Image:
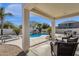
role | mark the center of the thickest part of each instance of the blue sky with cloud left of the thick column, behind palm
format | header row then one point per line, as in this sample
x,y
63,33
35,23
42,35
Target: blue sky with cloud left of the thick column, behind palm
x,y
16,10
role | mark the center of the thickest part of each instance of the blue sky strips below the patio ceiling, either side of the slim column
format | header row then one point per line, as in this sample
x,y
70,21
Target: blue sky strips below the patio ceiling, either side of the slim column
x,y
47,21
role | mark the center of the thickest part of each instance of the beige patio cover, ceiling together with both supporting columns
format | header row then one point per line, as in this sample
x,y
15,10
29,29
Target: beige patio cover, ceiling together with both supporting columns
x,y
51,11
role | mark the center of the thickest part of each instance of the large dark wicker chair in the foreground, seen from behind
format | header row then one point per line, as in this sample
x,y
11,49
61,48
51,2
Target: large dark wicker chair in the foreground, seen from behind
x,y
64,49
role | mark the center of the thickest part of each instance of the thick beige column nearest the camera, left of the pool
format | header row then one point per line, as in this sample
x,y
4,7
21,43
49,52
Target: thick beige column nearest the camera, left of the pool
x,y
25,31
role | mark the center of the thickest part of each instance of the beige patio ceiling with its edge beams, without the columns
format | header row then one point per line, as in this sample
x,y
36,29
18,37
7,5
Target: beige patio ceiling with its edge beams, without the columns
x,y
54,10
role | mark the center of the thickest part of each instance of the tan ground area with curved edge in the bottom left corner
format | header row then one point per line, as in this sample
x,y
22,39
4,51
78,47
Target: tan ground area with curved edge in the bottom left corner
x,y
11,50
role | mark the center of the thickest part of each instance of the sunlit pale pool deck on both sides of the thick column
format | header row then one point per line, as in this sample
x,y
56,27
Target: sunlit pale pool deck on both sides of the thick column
x,y
33,41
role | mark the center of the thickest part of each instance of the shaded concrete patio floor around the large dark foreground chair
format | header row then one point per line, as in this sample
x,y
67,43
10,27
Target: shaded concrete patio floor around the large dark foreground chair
x,y
44,50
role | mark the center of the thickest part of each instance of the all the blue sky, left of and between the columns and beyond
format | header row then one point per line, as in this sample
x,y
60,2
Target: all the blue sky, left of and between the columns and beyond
x,y
16,10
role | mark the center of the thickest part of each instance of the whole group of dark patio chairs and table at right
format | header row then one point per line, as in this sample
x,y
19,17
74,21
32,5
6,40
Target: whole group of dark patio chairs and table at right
x,y
65,47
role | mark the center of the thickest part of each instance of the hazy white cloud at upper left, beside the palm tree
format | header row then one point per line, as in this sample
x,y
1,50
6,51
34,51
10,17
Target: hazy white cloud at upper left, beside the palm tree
x,y
15,9
